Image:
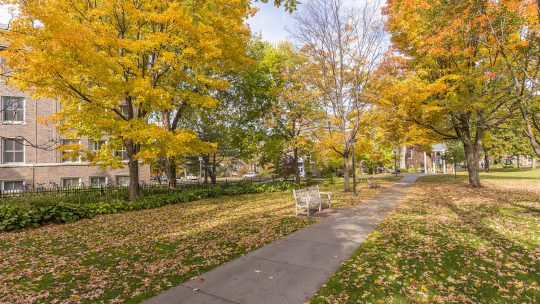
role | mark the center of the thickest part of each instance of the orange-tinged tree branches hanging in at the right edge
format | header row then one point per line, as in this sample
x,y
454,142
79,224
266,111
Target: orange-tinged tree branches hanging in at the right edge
x,y
514,26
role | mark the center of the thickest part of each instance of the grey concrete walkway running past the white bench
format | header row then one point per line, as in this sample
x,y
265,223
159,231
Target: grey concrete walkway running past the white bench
x,y
293,269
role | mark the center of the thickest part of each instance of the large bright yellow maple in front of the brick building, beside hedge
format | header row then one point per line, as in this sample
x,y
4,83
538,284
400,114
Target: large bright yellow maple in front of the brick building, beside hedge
x,y
114,64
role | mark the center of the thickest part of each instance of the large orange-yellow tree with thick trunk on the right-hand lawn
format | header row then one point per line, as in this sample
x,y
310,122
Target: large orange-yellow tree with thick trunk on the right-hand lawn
x,y
451,72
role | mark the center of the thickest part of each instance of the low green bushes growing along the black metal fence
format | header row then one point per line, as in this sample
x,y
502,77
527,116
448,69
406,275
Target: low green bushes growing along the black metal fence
x,y
25,210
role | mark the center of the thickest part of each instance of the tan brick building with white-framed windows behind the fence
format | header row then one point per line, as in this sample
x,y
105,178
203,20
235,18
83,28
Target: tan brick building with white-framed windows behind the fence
x,y
28,156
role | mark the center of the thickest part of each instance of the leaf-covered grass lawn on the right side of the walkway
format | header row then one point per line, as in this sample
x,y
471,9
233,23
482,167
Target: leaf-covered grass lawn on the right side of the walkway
x,y
447,243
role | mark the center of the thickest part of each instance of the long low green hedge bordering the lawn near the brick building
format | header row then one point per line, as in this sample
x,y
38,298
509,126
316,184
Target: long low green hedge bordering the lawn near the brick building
x,y
22,215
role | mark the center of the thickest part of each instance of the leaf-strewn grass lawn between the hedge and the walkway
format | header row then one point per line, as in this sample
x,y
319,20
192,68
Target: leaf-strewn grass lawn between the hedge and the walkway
x,y
129,256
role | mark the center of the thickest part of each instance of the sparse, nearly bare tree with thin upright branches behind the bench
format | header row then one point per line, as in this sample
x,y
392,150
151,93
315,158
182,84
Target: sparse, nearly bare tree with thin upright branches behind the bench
x,y
344,46
